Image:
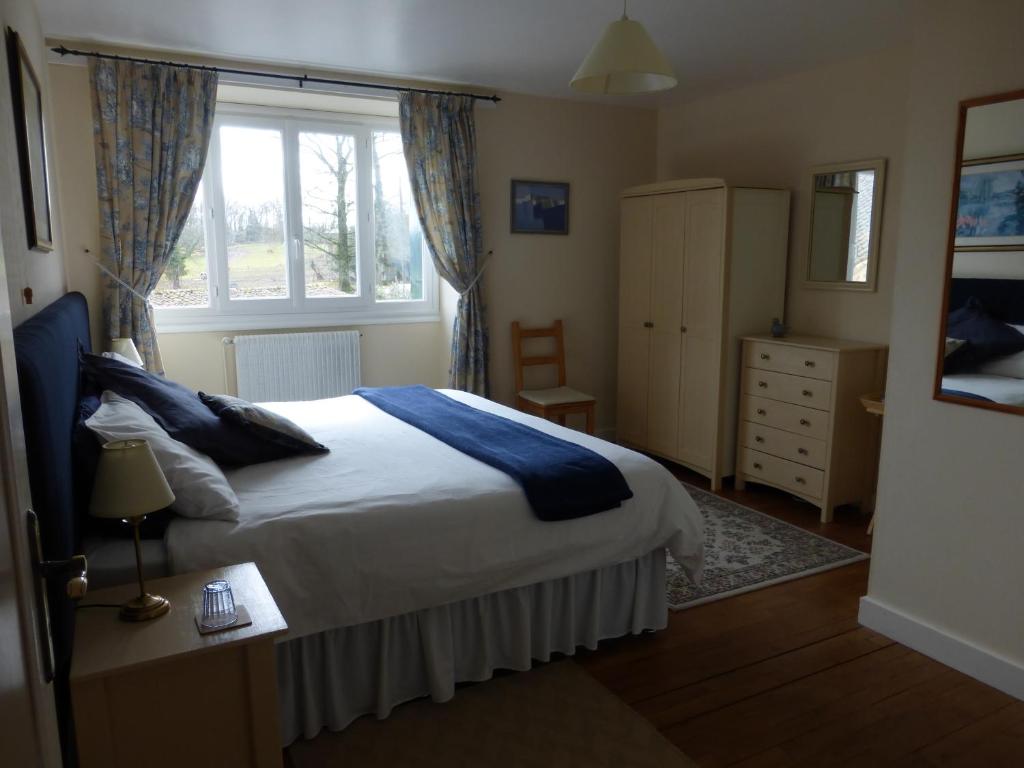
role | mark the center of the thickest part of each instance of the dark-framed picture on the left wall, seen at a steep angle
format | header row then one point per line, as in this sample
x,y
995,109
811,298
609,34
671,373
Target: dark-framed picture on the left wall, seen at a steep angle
x,y
27,100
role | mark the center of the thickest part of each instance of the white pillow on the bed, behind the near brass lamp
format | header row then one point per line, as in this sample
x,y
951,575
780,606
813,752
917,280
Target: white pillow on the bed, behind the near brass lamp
x,y
200,488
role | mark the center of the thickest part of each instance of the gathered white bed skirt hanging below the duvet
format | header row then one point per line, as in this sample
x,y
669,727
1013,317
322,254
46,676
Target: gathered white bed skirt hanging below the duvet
x,y
329,679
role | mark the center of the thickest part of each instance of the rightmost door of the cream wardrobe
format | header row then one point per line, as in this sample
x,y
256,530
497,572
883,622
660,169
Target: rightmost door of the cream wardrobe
x,y
701,332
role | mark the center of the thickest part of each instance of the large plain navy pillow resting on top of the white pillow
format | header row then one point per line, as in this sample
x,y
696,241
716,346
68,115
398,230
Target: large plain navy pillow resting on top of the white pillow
x,y
181,413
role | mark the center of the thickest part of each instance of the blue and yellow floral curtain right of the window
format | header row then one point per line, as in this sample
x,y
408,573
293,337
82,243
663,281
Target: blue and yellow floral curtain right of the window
x,y
439,136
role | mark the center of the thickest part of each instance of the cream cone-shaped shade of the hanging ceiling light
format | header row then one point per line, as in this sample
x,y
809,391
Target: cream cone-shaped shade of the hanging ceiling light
x,y
624,61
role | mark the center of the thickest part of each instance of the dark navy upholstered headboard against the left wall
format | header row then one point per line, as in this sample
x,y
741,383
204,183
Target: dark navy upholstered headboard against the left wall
x,y
47,350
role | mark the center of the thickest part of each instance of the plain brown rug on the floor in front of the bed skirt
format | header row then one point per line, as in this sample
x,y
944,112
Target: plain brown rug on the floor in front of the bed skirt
x,y
556,715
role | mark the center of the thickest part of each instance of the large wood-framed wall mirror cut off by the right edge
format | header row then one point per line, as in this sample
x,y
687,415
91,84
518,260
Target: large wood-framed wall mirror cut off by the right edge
x,y
982,345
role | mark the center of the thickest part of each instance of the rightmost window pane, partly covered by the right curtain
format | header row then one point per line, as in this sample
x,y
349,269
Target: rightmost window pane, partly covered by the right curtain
x,y
399,245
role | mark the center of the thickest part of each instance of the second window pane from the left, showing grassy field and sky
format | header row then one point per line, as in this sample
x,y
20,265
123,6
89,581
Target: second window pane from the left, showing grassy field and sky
x,y
253,177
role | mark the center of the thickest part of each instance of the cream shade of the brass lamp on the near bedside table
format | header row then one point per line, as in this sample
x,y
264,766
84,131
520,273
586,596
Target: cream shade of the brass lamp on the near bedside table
x,y
130,483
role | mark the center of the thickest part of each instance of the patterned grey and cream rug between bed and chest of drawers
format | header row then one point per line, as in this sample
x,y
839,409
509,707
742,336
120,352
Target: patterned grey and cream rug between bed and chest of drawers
x,y
747,550
